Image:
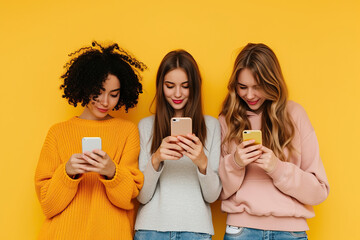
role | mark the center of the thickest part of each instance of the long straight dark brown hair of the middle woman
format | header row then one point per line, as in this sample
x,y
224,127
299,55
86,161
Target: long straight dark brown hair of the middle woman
x,y
193,109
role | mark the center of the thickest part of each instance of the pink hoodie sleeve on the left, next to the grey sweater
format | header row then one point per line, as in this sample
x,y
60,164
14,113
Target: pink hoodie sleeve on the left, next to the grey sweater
x,y
231,174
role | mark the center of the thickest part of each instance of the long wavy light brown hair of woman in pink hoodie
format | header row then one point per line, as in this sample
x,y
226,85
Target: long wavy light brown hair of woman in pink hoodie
x,y
277,126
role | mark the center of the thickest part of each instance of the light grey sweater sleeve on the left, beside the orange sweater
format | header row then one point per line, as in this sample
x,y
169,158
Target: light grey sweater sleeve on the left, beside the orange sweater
x,y
151,176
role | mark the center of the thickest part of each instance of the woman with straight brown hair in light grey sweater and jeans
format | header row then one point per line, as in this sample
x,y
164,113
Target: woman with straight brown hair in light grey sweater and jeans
x,y
180,172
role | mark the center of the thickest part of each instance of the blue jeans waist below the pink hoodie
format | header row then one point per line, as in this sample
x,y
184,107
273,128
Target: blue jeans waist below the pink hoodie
x,y
257,234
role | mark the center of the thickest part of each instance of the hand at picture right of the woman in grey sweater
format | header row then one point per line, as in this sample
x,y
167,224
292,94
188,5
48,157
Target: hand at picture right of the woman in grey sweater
x,y
194,150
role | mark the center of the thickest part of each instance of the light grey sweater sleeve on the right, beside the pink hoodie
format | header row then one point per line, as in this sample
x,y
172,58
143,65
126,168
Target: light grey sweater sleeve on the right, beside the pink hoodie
x,y
210,182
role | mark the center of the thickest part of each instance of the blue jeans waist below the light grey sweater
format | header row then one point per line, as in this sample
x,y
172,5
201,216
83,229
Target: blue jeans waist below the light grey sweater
x,y
155,235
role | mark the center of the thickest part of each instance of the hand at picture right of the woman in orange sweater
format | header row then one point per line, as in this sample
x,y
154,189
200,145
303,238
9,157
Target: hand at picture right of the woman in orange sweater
x,y
100,163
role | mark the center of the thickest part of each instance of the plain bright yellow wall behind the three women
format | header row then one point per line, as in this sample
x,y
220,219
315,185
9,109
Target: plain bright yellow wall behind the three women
x,y
317,43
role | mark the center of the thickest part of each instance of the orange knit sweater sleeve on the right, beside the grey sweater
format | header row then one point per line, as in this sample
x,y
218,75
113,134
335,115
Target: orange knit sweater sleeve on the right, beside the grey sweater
x,y
128,179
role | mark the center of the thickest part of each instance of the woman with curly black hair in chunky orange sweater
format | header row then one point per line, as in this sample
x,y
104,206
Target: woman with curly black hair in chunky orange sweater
x,y
90,195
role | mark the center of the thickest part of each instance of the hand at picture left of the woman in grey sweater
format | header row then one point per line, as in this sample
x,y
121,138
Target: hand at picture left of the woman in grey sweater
x,y
168,150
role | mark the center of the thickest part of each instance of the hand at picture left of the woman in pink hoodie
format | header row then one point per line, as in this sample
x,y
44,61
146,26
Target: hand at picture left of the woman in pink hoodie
x,y
246,153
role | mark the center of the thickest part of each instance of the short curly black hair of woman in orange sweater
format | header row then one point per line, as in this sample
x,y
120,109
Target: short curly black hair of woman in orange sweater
x,y
89,68
